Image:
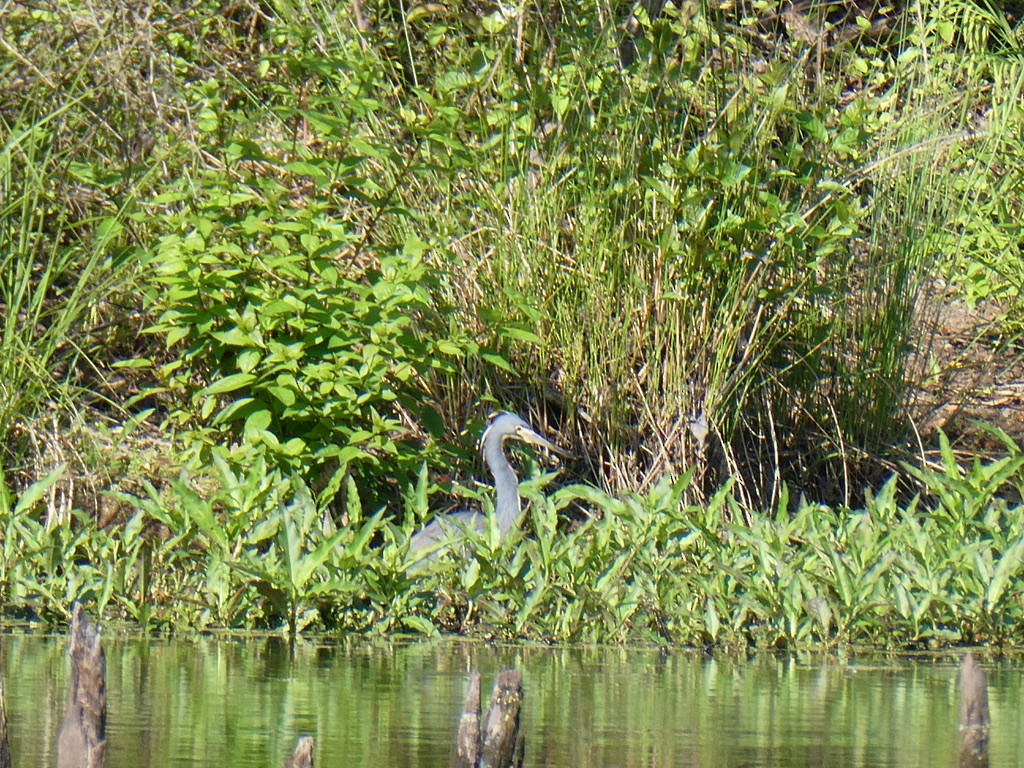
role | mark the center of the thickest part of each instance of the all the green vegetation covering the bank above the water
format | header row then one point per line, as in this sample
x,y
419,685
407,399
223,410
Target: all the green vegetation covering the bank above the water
x,y
262,263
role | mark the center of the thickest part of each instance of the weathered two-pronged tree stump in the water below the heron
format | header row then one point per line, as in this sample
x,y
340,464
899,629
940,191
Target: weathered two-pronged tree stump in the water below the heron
x,y
498,744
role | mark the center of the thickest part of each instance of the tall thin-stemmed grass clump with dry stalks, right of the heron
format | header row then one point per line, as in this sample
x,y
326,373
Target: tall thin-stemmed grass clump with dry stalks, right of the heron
x,y
716,263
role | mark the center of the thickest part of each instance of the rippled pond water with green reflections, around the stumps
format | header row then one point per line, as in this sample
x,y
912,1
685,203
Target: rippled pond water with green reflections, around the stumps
x,y
240,704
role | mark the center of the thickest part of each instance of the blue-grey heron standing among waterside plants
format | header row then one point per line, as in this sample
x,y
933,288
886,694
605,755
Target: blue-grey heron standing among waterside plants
x,y
451,528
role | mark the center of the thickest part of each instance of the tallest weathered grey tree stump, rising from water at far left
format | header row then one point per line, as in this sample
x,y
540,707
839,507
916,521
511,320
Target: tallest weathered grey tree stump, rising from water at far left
x,y
82,742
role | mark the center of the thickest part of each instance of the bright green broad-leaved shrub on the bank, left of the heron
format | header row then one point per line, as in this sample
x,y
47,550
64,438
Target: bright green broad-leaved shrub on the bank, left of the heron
x,y
295,346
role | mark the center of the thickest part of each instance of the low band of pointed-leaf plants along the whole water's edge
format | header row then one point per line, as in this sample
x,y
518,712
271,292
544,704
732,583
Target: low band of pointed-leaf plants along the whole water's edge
x,y
260,552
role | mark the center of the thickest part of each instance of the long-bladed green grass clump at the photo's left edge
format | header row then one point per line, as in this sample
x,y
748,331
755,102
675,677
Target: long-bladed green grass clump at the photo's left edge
x,y
57,270
